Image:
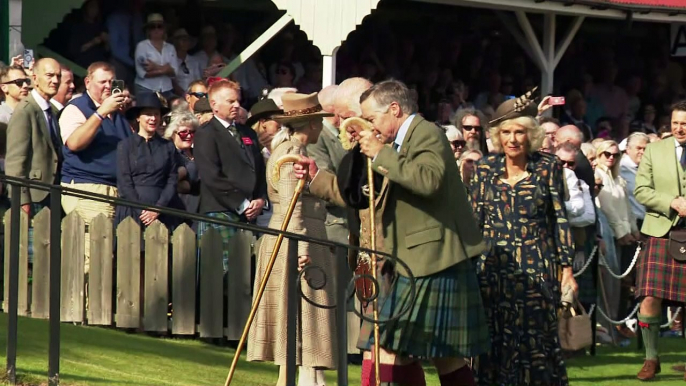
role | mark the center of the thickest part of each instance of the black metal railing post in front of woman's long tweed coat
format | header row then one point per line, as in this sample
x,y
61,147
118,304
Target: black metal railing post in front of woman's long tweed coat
x,y
291,318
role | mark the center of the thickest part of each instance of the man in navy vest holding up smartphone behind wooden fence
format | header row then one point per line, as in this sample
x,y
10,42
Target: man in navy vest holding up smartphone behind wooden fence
x,y
92,126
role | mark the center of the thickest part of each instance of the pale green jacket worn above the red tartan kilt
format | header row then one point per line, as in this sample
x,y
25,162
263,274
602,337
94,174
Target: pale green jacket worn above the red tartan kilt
x,y
659,180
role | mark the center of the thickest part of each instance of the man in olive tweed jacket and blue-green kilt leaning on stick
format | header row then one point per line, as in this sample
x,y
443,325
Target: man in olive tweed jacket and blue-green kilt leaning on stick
x,y
427,223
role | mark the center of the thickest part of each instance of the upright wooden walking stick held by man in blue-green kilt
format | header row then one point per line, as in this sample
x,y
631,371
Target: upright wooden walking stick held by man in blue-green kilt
x,y
365,125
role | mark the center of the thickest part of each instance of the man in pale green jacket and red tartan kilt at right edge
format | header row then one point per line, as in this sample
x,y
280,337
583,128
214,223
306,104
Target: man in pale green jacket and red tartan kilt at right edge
x,y
660,187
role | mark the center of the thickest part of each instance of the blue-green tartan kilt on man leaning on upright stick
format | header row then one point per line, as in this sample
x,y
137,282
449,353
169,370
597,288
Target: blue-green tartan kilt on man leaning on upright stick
x,y
447,320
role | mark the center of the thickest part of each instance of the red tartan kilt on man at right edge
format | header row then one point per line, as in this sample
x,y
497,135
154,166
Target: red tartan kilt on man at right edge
x,y
658,275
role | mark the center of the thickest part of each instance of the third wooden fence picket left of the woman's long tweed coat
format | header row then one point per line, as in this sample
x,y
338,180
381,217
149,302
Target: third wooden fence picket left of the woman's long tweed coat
x,y
184,274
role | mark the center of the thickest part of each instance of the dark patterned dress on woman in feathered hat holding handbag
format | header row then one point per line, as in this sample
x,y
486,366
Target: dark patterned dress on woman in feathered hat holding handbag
x,y
529,239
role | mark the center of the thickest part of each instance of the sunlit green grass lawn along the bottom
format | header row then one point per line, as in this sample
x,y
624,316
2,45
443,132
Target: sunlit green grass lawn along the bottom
x,y
98,356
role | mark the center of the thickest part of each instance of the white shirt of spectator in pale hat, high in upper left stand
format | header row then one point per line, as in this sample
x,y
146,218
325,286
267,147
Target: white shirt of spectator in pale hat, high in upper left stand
x,y
146,51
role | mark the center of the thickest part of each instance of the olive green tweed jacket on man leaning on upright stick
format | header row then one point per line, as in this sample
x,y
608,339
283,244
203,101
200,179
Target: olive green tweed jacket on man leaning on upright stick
x,y
427,220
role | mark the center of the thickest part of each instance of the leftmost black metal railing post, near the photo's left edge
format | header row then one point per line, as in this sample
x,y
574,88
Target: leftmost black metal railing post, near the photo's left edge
x,y
13,285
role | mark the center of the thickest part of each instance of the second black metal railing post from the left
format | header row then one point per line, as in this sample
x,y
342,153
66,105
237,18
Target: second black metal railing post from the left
x,y
55,284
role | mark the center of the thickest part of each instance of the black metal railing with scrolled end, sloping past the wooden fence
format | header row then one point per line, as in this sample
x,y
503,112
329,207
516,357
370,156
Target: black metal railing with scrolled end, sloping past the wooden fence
x,y
344,285
